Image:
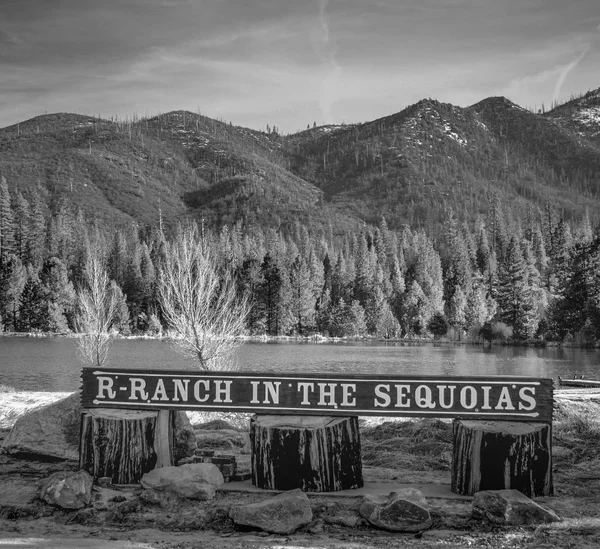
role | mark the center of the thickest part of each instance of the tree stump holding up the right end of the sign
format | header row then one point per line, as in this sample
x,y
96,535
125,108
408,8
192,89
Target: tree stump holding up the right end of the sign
x,y
502,455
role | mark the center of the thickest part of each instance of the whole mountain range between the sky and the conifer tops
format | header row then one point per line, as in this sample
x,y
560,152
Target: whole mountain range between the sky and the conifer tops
x,y
408,167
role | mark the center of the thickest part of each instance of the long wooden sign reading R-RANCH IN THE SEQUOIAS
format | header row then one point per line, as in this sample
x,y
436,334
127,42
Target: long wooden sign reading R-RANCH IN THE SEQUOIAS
x,y
494,397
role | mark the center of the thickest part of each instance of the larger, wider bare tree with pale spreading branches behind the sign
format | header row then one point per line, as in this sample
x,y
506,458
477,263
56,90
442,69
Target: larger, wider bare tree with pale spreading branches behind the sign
x,y
201,305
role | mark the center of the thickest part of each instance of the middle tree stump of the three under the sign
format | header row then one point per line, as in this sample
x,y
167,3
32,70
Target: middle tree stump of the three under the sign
x,y
313,453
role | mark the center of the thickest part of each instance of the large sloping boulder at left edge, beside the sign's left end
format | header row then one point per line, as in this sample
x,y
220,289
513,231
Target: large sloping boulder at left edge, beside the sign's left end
x,y
51,430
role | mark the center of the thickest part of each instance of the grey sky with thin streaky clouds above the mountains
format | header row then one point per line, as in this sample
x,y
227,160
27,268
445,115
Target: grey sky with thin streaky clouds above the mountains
x,y
290,63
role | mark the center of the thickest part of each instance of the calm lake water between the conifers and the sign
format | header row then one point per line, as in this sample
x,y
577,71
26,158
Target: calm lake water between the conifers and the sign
x,y
51,364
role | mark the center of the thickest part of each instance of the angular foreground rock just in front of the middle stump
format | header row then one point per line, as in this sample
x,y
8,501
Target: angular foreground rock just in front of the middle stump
x,y
282,514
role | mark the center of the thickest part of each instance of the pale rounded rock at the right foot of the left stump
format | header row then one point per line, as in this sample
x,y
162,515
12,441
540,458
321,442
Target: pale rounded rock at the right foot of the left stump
x,y
193,480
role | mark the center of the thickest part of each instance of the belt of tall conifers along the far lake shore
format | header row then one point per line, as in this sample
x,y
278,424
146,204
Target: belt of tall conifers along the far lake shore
x,y
537,277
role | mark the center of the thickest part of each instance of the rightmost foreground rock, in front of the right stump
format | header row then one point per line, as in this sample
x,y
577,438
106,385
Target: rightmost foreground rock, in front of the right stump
x,y
510,507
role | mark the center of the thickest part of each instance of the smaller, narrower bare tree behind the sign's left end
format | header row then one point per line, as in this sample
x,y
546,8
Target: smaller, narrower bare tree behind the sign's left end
x,y
96,308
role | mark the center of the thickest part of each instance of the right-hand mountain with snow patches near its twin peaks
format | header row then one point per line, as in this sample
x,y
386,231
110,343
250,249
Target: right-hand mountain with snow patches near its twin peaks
x,y
412,165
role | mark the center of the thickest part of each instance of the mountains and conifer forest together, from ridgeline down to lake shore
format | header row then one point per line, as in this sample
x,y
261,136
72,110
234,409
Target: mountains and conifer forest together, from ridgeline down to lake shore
x,y
479,221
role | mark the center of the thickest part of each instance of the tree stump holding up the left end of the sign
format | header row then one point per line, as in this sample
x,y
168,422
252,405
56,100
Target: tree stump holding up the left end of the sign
x,y
125,444
